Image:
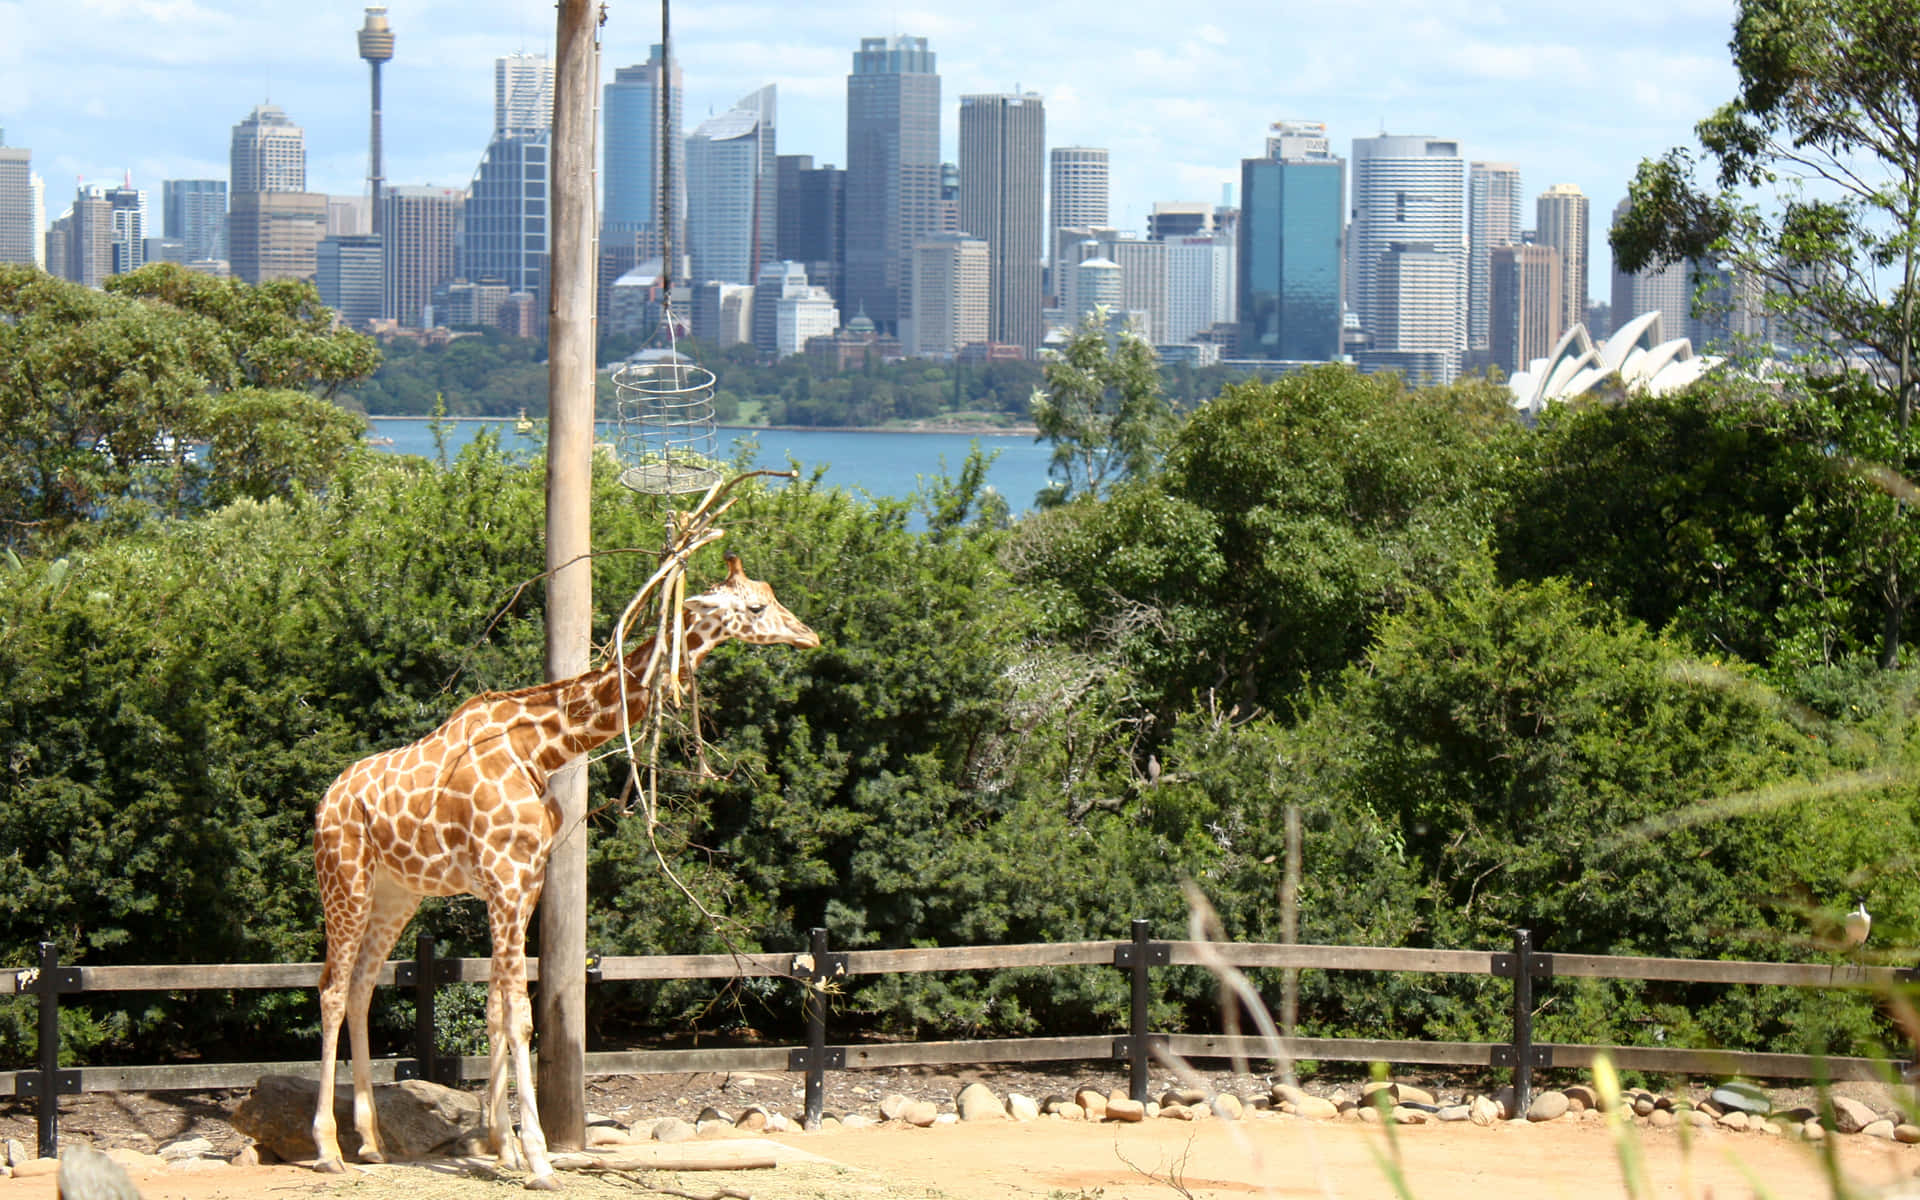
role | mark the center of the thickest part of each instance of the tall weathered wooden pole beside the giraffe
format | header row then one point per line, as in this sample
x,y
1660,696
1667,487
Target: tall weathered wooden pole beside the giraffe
x,y
562,1013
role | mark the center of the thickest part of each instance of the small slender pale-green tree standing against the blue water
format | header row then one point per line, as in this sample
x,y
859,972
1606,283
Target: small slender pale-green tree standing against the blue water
x,y
1103,410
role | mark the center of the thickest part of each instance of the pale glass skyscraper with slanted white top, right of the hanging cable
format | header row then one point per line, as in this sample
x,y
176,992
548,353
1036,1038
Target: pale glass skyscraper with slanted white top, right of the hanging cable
x,y
725,197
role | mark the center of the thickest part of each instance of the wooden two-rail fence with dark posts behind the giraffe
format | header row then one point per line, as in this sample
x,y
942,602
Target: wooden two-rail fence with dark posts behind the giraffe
x,y
819,969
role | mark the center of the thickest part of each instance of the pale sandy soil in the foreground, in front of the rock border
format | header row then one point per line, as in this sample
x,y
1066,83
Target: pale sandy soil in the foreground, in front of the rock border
x,y
1057,1161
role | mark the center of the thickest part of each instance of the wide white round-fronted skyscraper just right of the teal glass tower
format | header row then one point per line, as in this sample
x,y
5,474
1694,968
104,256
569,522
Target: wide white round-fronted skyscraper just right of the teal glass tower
x,y
1406,189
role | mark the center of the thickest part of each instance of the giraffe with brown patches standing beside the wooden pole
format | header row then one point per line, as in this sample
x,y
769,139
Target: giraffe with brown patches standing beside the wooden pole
x,y
464,811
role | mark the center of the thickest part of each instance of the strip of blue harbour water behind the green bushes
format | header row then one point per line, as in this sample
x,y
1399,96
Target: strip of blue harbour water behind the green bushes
x,y
876,464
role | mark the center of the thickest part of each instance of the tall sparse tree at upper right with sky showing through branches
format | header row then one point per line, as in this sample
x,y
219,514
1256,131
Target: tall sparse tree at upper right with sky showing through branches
x,y
1827,118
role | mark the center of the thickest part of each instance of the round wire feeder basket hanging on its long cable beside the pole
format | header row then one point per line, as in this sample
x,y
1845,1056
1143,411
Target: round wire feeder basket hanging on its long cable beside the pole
x,y
663,400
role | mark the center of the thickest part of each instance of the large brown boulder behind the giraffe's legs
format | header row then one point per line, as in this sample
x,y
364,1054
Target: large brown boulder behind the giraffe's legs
x,y
418,1118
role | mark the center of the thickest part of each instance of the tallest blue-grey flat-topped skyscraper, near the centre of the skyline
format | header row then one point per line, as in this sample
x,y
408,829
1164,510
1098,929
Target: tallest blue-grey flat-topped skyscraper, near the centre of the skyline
x,y
894,172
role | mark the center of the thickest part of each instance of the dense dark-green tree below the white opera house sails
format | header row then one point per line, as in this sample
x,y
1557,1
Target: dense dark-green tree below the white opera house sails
x,y
1719,514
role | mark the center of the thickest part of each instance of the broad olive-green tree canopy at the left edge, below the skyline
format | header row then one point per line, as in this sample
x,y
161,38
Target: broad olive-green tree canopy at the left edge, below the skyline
x,y
107,396
